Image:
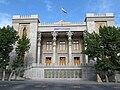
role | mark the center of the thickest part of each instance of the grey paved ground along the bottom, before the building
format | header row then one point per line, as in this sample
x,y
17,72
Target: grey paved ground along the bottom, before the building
x,y
57,85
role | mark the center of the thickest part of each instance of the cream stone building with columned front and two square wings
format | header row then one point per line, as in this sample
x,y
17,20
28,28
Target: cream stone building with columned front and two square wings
x,y
55,51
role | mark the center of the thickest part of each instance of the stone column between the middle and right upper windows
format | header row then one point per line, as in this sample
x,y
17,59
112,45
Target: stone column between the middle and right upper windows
x,y
70,46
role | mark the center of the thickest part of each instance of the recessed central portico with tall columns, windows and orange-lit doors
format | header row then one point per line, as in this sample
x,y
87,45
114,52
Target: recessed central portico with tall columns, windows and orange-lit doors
x,y
60,47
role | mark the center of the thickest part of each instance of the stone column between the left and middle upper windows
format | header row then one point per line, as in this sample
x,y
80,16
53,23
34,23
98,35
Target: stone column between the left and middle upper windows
x,y
54,34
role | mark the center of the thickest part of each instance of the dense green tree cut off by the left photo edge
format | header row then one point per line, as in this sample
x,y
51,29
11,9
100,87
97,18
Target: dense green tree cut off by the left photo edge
x,y
8,37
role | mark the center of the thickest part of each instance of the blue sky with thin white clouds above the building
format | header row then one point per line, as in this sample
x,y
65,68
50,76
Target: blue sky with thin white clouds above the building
x,y
50,10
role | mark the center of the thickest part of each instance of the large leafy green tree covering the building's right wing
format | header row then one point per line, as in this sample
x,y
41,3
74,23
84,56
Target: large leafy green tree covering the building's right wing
x,y
104,48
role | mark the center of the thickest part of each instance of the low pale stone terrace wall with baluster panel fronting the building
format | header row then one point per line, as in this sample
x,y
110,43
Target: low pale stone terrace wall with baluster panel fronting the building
x,y
83,72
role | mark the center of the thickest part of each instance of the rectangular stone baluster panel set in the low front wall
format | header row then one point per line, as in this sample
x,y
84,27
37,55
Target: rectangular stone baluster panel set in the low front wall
x,y
62,73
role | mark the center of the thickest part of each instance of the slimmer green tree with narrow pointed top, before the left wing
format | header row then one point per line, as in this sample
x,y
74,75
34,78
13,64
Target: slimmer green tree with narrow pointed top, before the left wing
x,y
23,46
